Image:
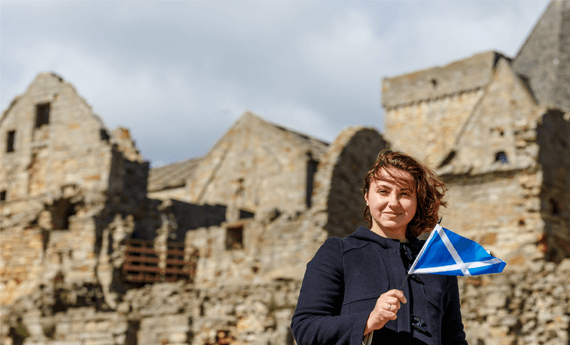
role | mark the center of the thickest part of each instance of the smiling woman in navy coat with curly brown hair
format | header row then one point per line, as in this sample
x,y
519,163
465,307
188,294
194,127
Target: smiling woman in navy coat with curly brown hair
x,y
350,291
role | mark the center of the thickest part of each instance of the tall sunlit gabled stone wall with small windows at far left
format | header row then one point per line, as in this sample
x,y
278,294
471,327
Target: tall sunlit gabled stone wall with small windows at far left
x,y
69,189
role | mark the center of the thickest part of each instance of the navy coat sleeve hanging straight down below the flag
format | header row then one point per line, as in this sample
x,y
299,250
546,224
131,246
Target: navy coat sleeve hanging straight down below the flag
x,y
452,326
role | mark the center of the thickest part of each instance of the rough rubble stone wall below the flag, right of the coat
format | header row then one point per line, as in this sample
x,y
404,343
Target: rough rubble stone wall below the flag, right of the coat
x,y
529,307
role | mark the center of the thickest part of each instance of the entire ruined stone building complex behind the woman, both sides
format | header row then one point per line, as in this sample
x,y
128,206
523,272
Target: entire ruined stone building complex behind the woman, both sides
x,y
96,249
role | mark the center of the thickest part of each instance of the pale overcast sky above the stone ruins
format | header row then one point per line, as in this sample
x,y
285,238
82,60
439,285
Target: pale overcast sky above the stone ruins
x,y
178,74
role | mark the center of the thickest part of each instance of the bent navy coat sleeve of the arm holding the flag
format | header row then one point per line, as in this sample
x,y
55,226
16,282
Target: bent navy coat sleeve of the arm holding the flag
x,y
317,318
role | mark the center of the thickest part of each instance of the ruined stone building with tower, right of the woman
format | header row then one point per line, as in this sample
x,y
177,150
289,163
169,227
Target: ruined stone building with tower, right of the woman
x,y
497,129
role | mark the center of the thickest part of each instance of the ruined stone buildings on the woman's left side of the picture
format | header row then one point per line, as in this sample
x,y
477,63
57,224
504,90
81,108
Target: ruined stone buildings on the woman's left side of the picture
x,y
205,251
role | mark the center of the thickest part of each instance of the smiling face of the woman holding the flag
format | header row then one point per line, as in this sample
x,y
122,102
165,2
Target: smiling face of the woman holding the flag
x,y
392,200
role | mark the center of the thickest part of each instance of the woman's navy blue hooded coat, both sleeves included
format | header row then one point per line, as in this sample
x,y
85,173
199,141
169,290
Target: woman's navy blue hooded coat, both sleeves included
x,y
346,277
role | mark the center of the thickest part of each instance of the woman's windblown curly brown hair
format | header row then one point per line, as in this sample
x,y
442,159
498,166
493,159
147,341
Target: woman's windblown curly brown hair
x,y
429,190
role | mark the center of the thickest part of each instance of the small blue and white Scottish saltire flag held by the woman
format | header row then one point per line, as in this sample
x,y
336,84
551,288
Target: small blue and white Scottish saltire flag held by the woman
x,y
447,253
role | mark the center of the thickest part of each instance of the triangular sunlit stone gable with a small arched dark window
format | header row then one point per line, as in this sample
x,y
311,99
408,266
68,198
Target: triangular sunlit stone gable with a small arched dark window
x,y
498,134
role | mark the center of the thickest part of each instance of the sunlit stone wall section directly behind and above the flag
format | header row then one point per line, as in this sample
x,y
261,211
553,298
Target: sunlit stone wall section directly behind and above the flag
x,y
501,211
